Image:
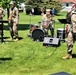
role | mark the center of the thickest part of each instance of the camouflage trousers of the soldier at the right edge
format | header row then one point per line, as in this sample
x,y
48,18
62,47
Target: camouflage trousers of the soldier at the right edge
x,y
70,41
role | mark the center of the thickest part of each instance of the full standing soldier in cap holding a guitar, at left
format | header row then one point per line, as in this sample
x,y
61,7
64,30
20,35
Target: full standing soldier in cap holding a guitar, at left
x,y
13,20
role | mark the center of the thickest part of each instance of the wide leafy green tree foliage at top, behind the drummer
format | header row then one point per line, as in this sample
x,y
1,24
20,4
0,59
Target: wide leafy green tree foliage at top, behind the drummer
x,y
43,4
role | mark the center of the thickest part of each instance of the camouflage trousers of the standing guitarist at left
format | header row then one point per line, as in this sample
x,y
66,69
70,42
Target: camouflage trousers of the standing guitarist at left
x,y
13,29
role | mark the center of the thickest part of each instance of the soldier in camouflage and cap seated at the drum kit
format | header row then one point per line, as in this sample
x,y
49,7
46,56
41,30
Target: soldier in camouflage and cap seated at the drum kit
x,y
47,21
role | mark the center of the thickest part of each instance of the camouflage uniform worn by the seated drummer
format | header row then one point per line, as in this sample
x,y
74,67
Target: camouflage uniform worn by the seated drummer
x,y
49,23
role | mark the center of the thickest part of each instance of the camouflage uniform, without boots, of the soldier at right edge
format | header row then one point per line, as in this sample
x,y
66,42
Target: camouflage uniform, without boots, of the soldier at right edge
x,y
72,33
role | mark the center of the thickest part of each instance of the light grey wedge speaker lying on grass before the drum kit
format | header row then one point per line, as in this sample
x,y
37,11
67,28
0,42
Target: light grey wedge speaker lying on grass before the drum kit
x,y
51,41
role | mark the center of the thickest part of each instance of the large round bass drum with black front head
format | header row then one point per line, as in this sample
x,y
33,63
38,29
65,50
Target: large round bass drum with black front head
x,y
38,35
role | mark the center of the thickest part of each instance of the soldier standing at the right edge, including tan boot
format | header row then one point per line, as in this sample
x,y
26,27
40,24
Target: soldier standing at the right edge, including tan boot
x,y
71,36
